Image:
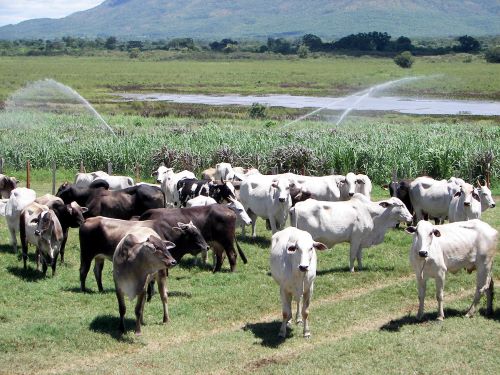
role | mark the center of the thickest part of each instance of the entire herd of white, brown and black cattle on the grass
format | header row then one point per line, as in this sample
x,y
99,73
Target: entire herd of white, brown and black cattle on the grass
x,y
147,228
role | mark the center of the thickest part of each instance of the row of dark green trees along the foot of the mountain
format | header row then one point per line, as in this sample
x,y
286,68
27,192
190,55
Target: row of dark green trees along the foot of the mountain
x,y
377,43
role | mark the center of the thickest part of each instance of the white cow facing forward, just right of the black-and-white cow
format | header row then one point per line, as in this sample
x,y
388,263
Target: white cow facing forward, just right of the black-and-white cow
x,y
267,197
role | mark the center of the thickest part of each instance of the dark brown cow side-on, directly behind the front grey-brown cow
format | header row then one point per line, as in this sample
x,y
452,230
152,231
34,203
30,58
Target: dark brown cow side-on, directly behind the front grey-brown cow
x,y
99,237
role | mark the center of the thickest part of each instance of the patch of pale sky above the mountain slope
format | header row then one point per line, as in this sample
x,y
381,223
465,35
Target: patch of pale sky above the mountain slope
x,y
15,11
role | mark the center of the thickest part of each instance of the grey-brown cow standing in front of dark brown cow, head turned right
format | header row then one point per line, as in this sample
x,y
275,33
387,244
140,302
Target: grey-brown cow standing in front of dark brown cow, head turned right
x,y
140,256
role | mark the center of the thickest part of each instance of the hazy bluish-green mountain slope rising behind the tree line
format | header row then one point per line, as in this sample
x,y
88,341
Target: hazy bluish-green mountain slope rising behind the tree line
x,y
210,19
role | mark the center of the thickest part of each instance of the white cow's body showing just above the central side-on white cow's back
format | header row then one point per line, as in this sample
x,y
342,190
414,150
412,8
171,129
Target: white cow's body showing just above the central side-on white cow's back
x,y
323,188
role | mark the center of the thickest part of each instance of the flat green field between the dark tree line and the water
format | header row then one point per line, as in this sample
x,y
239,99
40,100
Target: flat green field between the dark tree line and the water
x,y
457,76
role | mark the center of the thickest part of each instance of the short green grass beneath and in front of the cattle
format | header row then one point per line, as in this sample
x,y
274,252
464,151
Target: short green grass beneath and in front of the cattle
x,y
228,323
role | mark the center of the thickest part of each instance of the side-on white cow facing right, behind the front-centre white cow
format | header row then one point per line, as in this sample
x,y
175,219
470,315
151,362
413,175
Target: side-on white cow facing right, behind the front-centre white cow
x,y
359,221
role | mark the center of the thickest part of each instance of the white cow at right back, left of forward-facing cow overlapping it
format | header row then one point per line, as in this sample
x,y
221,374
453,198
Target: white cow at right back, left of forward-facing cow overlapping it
x,y
432,197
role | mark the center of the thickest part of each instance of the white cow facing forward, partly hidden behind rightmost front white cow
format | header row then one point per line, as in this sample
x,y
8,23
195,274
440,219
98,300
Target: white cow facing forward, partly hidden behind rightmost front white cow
x,y
465,204
